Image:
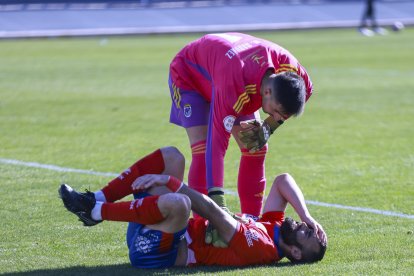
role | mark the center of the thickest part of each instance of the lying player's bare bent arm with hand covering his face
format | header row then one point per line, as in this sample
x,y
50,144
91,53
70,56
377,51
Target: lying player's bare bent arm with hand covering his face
x,y
285,190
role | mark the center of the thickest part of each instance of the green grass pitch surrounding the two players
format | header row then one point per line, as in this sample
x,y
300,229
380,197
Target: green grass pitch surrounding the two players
x,y
100,105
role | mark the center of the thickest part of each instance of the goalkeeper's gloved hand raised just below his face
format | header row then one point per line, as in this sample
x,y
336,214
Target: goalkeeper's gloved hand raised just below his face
x,y
255,134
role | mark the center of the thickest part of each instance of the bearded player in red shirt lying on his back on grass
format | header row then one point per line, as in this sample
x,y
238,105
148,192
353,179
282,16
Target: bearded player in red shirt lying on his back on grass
x,y
161,234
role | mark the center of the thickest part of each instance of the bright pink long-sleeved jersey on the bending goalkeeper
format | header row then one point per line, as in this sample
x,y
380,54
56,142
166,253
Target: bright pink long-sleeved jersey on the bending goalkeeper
x,y
227,70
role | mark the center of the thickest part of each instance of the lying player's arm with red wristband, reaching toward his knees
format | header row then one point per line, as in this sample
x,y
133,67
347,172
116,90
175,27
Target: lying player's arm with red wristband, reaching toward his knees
x,y
201,204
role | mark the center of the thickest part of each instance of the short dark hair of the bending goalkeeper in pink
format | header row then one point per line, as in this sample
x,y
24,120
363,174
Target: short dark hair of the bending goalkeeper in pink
x,y
290,91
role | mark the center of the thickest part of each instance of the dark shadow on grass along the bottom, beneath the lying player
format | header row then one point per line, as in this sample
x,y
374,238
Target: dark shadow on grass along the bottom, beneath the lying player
x,y
127,269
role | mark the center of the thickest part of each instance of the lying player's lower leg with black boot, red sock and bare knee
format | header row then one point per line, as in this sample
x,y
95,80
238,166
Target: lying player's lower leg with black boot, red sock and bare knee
x,y
167,212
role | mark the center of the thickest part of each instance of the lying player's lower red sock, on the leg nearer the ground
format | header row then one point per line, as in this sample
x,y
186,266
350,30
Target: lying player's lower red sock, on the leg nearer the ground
x,y
143,210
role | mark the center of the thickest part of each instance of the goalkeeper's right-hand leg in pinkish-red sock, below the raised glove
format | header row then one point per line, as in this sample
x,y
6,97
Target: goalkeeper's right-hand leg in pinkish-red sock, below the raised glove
x,y
251,180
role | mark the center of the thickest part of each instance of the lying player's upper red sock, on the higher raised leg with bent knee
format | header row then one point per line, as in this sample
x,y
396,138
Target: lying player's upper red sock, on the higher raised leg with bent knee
x,y
121,186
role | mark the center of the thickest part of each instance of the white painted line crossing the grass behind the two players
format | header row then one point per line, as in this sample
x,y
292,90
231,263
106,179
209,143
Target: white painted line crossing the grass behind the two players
x,y
90,172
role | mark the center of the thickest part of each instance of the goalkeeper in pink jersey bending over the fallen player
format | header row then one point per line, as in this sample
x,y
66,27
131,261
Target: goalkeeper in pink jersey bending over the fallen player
x,y
221,80
